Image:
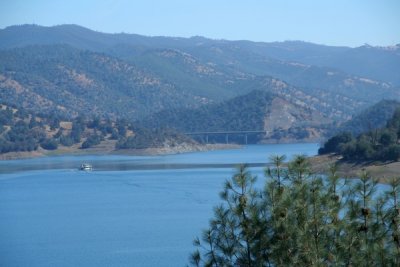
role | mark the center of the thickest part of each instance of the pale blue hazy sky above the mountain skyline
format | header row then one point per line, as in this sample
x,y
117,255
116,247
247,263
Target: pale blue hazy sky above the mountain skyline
x,y
331,22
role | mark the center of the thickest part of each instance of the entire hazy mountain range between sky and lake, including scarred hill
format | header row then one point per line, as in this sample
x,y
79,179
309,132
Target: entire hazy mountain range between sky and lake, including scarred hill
x,y
289,87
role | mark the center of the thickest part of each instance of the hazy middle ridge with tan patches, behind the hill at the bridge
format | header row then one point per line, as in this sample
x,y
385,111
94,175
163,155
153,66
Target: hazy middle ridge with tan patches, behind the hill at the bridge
x,y
227,70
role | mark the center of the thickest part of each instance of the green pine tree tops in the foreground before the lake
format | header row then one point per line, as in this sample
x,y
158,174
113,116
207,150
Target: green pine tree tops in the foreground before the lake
x,y
300,219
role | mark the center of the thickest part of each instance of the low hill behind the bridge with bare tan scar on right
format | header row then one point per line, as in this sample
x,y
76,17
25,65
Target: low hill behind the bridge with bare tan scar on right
x,y
258,110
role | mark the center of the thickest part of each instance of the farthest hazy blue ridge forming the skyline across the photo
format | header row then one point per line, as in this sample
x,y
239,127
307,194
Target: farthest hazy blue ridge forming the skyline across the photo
x,y
355,61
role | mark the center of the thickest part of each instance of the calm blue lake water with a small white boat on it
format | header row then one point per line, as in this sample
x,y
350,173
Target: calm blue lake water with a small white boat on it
x,y
129,211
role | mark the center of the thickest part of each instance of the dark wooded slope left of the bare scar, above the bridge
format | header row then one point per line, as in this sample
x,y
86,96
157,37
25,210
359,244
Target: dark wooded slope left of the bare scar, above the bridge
x,y
238,114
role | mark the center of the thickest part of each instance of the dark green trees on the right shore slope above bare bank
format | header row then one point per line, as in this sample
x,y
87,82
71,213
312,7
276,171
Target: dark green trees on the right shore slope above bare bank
x,y
378,144
